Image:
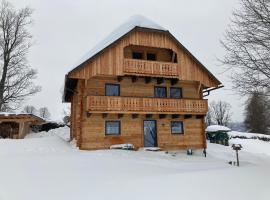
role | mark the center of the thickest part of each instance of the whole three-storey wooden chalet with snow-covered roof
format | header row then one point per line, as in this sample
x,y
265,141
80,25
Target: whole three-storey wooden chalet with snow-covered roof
x,y
140,86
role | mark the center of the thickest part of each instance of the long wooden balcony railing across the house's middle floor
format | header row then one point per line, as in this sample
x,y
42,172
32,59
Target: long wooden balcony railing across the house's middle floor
x,y
112,104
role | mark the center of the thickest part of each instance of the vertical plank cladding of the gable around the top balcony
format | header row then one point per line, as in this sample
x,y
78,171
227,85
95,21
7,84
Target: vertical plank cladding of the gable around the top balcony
x,y
111,61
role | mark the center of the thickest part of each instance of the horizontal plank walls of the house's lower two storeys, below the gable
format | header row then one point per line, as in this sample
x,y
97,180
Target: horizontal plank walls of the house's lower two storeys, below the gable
x,y
89,130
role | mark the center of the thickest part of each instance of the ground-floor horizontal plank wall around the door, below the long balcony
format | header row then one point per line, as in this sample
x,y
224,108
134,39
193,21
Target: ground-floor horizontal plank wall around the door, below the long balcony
x,y
93,132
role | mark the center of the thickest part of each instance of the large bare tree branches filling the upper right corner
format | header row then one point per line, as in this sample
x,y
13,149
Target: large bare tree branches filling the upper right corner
x,y
247,45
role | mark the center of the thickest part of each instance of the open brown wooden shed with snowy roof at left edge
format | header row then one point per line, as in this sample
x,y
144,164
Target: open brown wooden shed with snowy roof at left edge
x,y
17,125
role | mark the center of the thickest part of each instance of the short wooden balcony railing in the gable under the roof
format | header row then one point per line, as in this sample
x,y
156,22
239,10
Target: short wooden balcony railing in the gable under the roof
x,y
150,68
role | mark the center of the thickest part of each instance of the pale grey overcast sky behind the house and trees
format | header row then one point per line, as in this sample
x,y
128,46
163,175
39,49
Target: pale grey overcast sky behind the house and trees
x,y
64,30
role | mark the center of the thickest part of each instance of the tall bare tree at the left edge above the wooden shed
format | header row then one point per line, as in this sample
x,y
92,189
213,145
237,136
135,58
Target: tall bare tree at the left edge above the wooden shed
x,y
16,76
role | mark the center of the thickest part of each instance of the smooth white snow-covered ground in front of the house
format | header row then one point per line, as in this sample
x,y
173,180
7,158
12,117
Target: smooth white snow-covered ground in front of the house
x,y
49,168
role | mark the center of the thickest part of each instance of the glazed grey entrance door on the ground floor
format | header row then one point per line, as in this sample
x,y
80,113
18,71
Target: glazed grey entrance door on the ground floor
x,y
150,133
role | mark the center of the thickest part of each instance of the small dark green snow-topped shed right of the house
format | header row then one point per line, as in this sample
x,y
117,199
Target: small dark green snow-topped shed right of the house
x,y
218,134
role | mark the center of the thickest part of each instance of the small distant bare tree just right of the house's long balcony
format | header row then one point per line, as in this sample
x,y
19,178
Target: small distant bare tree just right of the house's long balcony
x,y
220,112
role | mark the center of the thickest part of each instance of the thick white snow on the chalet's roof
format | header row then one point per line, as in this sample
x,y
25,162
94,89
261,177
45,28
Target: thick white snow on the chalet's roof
x,y
131,23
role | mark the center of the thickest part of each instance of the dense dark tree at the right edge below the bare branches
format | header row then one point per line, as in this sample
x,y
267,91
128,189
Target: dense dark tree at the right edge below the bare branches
x,y
257,113
